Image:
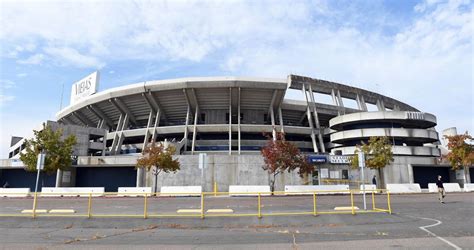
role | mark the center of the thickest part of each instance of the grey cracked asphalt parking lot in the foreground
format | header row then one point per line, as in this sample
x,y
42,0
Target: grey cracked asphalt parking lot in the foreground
x,y
418,222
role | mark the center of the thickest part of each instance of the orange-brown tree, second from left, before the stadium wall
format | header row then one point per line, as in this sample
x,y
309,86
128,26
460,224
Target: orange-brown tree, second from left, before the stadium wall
x,y
160,158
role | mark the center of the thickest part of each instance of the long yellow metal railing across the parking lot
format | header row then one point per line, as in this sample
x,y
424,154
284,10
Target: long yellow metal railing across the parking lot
x,y
311,202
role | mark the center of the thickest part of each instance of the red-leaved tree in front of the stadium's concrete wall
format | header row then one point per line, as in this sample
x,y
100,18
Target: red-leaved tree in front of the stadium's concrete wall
x,y
280,155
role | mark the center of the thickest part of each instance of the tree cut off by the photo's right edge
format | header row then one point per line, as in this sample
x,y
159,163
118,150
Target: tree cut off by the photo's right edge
x,y
461,155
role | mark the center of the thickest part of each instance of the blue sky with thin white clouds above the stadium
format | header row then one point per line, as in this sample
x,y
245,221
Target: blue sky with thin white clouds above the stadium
x,y
418,52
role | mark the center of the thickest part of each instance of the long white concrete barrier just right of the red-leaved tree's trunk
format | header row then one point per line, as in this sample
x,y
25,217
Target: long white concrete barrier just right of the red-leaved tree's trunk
x,y
320,189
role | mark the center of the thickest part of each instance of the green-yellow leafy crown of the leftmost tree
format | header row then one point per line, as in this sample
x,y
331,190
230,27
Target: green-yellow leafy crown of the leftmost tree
x,y
58,151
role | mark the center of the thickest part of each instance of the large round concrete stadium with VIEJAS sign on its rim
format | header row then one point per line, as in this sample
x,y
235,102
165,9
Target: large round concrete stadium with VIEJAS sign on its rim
x,y
224,122
